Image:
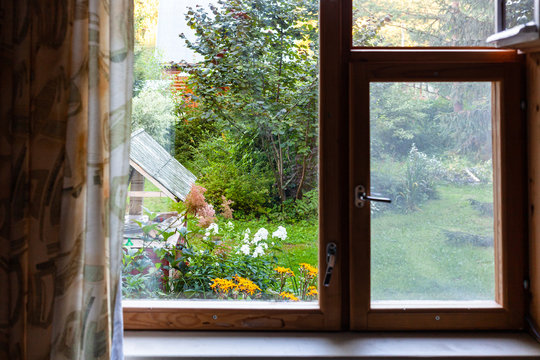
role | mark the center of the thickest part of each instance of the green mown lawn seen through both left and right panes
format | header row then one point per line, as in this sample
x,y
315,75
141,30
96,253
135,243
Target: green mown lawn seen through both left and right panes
x,y
412,257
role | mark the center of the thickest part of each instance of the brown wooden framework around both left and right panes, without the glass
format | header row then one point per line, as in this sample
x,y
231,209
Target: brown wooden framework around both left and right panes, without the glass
x,y
342,305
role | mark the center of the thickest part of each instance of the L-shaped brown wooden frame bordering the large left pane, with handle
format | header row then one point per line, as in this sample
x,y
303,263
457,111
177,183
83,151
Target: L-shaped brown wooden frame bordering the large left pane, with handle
x,y
332,308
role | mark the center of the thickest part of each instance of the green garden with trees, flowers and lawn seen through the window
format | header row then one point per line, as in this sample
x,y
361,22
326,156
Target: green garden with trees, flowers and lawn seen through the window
x,y
246,125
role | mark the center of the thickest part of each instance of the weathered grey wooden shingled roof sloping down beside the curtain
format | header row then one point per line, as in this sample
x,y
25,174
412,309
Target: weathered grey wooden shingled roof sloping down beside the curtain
x,y
159,167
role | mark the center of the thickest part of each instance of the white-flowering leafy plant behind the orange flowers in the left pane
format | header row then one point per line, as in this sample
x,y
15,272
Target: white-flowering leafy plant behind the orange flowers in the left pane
x,y
223,250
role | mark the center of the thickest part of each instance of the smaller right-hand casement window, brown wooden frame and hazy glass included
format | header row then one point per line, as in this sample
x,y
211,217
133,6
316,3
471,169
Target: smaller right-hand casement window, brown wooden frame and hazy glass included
x,y
448,253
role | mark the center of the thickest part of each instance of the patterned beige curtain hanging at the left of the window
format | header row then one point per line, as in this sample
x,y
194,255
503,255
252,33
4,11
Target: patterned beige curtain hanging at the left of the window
x,y
65,95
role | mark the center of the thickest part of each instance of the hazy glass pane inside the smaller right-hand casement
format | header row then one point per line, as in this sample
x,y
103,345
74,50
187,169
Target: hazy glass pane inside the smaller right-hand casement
x,y
431,153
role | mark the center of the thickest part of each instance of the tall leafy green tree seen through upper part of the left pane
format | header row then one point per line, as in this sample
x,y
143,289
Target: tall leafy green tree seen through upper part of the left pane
x,y
258,83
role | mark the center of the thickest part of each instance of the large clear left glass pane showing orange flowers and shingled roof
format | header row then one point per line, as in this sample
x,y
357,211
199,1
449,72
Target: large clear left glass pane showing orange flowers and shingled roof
x,y
223,199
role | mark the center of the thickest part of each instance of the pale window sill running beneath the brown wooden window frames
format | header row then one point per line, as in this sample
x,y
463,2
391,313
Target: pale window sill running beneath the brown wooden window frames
x,y
139,345
